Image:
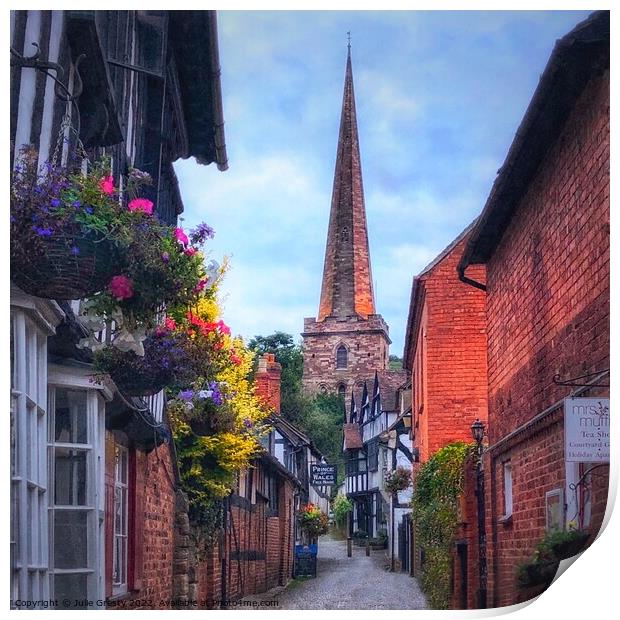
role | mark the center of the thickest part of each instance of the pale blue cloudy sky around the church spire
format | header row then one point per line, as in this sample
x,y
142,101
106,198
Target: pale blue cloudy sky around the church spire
x,y
439,97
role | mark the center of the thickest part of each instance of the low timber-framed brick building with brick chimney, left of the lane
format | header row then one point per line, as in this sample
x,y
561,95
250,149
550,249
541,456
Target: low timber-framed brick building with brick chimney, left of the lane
x,y
256,542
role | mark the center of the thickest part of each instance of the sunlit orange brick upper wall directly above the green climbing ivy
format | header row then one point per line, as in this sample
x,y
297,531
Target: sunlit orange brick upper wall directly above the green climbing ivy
x,y
449,354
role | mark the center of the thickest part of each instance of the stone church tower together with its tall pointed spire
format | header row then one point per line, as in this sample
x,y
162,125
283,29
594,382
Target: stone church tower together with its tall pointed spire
x,y
348,341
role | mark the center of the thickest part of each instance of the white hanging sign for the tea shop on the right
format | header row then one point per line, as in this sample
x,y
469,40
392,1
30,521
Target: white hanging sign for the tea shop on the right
x,y
586,430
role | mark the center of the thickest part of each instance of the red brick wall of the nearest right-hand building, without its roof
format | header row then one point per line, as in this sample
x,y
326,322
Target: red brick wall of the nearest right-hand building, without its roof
x,y
548,313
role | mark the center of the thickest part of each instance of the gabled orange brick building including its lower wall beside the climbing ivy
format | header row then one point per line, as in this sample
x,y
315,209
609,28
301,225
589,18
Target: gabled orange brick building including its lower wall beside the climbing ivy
x,y
446,356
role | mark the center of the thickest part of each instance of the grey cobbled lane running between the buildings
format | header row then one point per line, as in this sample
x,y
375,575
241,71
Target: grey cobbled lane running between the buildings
x,y
358,582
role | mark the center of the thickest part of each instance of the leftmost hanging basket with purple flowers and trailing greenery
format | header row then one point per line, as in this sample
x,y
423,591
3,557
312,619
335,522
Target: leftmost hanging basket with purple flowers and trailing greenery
x,y
65,228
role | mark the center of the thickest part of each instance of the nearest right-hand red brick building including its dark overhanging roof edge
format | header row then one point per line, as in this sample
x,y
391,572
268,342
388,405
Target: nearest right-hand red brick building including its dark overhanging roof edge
x,y
544,238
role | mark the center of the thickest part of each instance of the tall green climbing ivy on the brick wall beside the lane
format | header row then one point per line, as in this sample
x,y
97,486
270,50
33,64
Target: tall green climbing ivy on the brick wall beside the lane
x,y
437,487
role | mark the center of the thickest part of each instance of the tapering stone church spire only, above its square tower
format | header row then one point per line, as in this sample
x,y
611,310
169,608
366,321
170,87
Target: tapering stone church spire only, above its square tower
x,y
347,278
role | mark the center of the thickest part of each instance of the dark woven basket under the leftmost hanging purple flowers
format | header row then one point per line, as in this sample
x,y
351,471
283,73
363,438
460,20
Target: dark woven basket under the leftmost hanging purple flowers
x,y
68,264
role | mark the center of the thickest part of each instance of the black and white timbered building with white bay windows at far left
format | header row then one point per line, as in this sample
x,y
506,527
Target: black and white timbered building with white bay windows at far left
x,y
142,87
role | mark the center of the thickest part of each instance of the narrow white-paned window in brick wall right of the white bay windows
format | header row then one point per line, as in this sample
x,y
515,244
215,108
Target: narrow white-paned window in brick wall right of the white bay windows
x,y
121,517
